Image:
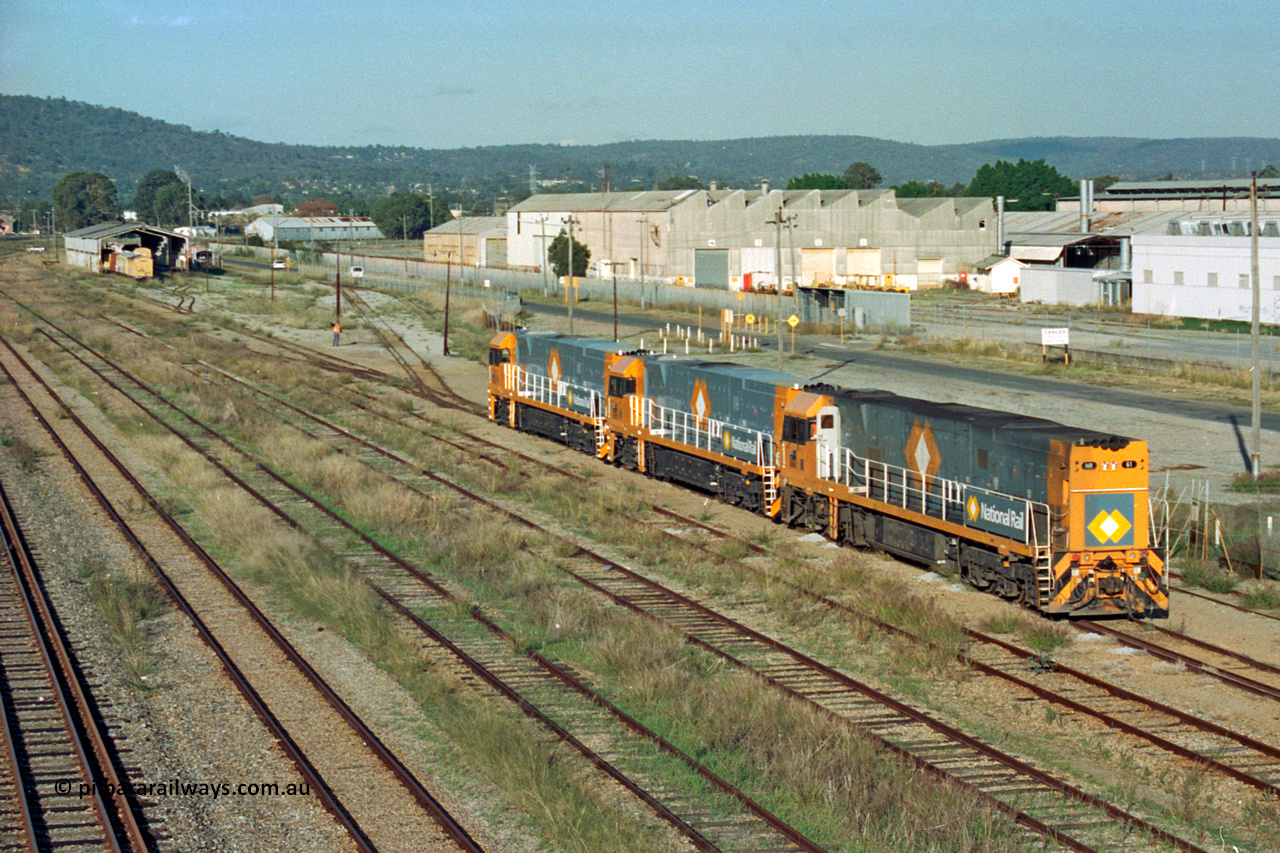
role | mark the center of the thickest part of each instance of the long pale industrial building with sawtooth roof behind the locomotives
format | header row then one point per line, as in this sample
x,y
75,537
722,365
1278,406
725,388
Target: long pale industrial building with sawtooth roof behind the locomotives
x,y
762,239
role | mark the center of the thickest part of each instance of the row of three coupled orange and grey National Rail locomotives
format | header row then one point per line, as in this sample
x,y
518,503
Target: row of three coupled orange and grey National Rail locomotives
x,y
1049,516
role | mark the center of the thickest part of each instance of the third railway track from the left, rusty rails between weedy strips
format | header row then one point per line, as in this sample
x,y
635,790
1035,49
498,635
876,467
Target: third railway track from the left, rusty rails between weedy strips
x,y
716,819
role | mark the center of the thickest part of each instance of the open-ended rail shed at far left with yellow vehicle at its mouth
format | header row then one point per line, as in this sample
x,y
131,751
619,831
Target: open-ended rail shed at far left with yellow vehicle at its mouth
x,y
130,249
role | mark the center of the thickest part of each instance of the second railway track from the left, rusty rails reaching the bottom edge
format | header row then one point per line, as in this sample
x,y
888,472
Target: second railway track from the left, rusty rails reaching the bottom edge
x,y
344,763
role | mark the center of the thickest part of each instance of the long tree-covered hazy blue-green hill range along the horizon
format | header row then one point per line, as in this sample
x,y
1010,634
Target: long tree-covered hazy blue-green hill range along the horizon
x,y
44,139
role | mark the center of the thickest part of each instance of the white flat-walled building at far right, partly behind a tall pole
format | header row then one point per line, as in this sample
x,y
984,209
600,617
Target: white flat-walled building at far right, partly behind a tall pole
x,y
1206,277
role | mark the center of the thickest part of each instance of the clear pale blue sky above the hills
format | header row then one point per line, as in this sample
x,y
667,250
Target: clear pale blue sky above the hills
x,y
495,72
